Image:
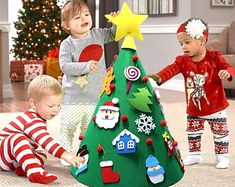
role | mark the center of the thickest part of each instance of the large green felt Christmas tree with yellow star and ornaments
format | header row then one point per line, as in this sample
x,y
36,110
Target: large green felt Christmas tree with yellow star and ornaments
x,y
128,142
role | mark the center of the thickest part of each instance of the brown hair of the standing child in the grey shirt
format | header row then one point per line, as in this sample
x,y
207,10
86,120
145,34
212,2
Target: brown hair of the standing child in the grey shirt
x,y
70,9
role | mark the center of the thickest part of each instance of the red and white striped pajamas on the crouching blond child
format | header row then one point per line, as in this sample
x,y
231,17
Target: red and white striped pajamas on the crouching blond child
x,y
19,141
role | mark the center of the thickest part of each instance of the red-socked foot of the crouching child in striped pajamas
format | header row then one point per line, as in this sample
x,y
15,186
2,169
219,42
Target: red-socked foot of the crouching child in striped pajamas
x,y
44,178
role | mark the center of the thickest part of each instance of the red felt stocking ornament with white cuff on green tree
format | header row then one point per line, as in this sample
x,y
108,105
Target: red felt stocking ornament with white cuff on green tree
x,y
108,176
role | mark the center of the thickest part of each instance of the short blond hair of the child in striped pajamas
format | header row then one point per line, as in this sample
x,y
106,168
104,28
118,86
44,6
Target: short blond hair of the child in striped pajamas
x,y
44,85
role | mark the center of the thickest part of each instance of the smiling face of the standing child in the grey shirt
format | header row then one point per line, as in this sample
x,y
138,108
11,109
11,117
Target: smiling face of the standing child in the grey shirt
x,y
80,24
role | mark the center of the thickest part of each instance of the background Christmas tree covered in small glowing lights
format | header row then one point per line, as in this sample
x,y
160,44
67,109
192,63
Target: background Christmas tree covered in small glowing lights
x,y
38,29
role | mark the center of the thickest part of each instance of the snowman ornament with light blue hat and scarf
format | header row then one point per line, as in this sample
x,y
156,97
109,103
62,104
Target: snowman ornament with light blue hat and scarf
x,y
155,172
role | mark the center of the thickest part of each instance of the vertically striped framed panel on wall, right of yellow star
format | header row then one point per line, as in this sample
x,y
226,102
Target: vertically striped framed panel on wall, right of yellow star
x,y
155,7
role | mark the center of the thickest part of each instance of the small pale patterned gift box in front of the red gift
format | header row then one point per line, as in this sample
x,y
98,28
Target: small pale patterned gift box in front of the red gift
x,y
31,71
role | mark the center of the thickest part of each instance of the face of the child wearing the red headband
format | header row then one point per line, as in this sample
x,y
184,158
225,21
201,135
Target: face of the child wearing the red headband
x,y
190,46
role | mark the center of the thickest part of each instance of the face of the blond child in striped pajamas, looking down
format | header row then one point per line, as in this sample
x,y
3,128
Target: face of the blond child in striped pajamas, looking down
x,y
48,106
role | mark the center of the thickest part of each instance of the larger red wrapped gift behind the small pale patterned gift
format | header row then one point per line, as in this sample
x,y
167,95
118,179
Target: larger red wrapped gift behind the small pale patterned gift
x,y
17,68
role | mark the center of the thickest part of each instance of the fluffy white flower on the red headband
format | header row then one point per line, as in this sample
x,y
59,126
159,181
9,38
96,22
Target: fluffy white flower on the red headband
x,y
195,28
